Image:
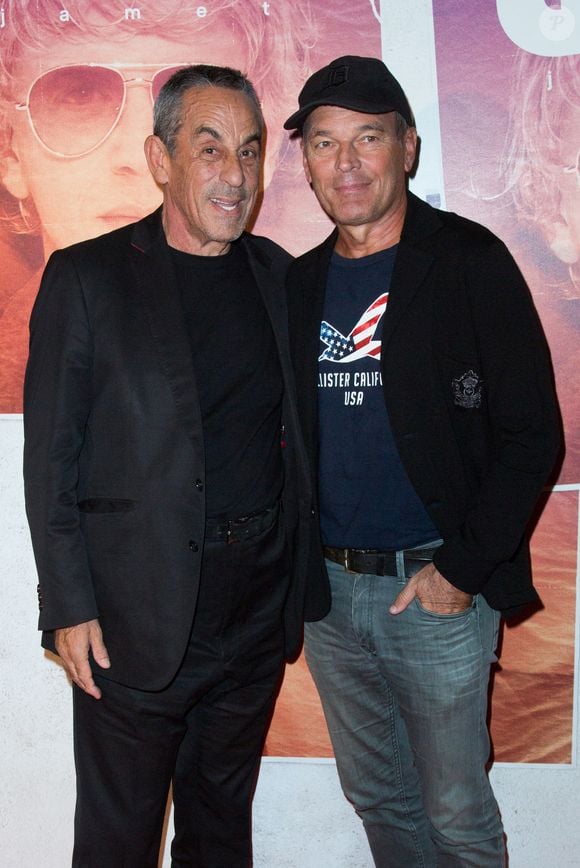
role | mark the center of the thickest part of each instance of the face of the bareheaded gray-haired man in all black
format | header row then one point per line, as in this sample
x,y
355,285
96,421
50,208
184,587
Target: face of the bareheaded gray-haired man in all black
x,y
210,181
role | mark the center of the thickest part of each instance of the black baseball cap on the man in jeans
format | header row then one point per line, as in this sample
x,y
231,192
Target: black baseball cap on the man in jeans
x,y
363,84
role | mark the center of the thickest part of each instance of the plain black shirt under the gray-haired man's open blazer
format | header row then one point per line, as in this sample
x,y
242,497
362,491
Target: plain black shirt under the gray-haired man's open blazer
x,y
239,381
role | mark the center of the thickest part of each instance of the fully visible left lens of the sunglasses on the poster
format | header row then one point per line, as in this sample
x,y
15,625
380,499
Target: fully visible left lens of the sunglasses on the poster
x,y
72,109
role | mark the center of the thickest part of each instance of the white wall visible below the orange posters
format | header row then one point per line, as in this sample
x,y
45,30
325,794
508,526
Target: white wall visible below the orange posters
x,y
300,817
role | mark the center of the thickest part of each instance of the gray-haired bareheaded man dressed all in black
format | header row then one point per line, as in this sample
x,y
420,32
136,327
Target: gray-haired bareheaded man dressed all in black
x,y
167,491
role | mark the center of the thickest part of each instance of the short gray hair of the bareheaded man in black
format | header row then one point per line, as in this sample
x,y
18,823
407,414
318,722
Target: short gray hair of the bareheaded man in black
x,y
168,105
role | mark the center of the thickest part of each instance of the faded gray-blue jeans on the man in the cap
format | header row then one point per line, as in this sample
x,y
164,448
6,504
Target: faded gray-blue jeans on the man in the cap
x,y
405,700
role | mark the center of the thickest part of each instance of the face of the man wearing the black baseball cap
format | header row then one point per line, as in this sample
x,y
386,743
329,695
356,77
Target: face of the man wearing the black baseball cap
x,y
357,166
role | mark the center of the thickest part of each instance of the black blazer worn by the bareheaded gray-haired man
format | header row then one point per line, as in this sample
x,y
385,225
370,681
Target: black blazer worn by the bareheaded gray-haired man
x,y
114,458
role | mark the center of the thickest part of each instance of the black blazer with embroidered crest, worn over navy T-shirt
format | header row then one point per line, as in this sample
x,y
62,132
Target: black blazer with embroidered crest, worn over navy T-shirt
x,y
458,305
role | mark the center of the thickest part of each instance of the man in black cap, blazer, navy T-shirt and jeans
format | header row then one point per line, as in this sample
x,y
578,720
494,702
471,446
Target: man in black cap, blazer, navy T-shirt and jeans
x,y
429,414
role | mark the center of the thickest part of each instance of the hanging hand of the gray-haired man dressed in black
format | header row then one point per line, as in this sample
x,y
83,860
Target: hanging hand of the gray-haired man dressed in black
x,y
73,645
